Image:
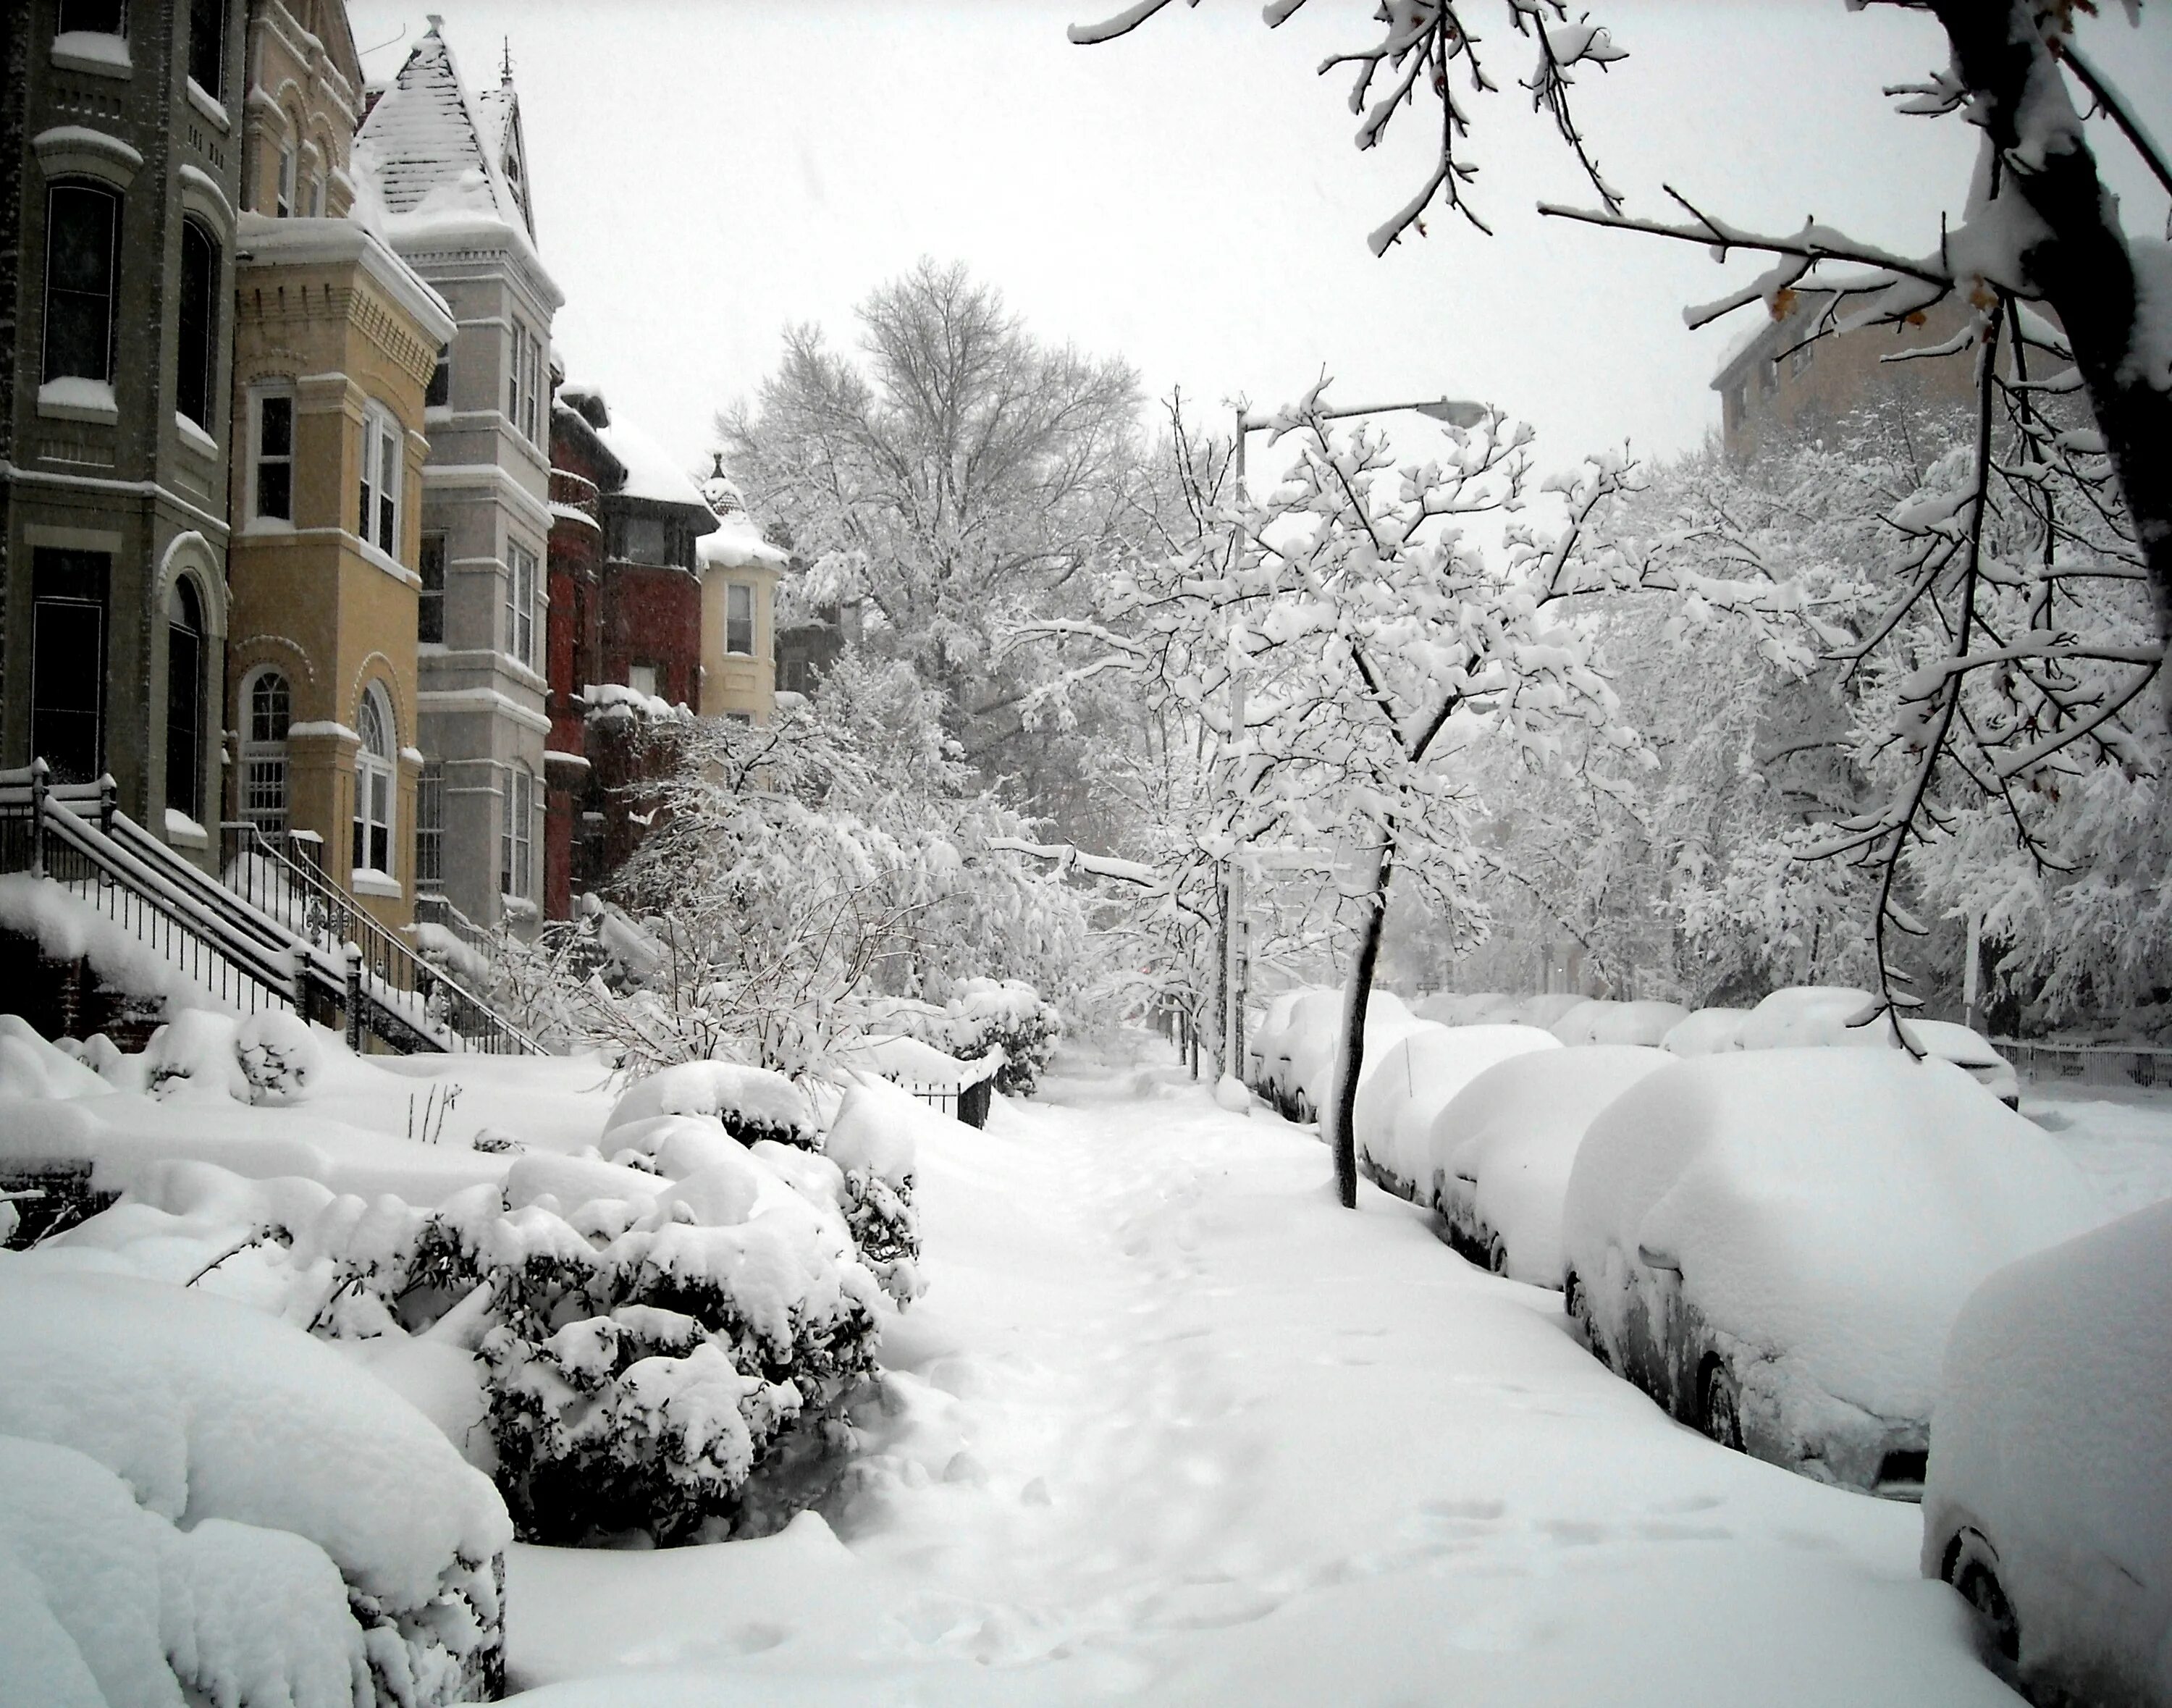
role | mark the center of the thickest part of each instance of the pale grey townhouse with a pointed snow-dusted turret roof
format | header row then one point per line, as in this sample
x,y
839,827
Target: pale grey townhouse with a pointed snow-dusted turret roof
x,y
446,181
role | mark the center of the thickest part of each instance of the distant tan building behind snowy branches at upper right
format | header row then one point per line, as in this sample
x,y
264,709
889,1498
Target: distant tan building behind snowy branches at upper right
x,y
1778,388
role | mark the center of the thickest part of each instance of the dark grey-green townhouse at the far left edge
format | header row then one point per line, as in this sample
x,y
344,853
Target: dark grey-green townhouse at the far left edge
x,y
118,190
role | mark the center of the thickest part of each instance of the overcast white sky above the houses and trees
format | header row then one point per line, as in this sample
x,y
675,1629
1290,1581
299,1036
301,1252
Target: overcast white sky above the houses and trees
x,y
1189,197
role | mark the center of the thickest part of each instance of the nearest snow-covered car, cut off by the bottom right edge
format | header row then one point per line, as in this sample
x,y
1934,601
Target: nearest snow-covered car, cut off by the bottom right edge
x,y
2049,1500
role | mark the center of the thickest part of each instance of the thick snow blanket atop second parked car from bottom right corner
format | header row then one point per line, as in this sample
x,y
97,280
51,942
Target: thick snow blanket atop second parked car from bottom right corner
x,y
1828,1207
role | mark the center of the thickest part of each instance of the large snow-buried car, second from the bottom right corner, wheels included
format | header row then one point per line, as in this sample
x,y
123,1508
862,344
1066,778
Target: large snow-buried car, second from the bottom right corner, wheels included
x,y
1776,1244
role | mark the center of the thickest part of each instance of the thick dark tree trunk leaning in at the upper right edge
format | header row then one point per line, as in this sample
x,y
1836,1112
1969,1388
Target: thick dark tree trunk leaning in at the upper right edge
x,y
2084,271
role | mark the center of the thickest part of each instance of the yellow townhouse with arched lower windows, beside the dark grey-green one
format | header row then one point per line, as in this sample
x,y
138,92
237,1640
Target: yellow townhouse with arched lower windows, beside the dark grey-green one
x,y
336,344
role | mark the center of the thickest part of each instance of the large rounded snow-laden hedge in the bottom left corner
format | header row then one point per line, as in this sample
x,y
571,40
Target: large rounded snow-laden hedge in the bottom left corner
x,y
288,1520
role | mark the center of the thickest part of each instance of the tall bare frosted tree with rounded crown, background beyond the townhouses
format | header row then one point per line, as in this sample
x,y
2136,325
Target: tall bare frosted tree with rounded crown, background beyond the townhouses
x,y
950,479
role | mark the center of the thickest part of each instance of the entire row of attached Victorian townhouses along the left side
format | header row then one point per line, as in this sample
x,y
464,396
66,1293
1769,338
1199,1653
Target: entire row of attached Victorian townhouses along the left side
x,y
294,533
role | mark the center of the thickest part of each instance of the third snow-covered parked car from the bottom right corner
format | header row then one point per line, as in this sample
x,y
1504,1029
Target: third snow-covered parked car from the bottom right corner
x,y
1511,1140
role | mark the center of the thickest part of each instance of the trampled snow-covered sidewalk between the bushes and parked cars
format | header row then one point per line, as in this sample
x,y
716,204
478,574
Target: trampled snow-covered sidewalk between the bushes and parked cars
x,y
1172,1427
